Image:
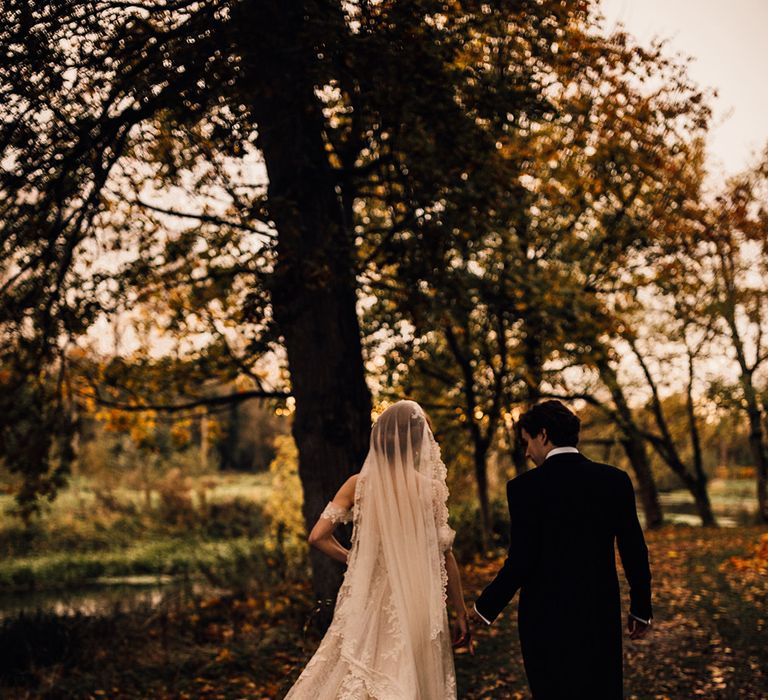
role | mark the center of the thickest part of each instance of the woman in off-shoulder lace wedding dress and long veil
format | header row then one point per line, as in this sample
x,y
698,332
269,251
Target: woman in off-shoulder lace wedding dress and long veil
x,y
389,638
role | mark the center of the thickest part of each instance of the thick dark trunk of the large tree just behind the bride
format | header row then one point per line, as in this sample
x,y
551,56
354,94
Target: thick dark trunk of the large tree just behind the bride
x,y
313,287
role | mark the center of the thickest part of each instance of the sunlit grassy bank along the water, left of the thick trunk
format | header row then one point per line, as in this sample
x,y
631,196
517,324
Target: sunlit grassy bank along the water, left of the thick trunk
x,y
203,525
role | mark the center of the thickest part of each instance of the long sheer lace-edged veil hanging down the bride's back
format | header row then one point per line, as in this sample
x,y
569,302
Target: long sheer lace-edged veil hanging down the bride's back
x,y
390,612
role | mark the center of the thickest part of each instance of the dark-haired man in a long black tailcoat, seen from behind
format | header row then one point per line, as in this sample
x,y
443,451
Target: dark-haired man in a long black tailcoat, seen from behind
x,y
564,517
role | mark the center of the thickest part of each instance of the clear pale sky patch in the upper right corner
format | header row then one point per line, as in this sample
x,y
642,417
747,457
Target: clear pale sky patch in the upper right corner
x,y
729,42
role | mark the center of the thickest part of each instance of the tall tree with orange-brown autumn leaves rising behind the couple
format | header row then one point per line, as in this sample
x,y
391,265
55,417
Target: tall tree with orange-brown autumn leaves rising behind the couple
x,y
579,185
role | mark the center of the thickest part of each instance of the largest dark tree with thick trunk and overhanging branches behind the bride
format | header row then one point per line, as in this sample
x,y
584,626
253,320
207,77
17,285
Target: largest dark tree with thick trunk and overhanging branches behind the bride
x,y
111,106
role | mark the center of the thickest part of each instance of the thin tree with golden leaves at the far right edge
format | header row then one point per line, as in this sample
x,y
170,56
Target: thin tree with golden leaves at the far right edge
x,y
713,268
